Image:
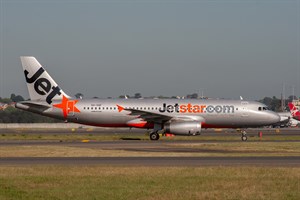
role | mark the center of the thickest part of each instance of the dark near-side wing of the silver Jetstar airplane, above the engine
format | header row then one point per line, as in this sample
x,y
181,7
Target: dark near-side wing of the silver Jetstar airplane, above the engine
x,y
149,116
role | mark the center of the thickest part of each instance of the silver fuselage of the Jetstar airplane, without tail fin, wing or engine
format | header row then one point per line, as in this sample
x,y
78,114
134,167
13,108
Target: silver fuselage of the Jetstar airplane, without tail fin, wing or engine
x,y
211,113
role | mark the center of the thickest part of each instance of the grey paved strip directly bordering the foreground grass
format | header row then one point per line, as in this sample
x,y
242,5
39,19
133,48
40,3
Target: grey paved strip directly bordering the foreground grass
x,y
156,161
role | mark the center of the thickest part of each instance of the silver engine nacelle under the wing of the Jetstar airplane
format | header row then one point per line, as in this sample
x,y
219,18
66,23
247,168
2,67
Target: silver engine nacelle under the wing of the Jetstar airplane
x,y
183,128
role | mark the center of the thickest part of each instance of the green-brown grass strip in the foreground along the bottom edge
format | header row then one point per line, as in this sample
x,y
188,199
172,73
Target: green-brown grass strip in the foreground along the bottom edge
x,y
106,182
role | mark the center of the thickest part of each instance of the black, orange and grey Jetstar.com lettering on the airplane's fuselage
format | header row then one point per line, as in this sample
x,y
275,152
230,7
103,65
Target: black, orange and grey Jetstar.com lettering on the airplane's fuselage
x,y
196,108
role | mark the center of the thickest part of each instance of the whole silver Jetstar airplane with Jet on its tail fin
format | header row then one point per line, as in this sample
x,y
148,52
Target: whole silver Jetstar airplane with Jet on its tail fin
x,y
174,116
